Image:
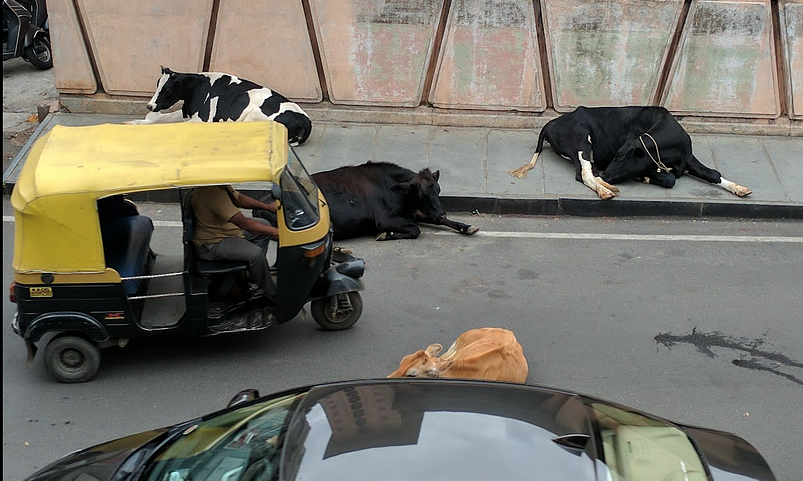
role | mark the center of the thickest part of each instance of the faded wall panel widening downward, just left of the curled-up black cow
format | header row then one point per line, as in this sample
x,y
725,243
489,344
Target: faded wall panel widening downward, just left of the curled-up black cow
x,y
490,58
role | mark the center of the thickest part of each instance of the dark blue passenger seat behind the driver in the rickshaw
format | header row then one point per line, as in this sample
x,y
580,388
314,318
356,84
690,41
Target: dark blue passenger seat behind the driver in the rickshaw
x,y
126,245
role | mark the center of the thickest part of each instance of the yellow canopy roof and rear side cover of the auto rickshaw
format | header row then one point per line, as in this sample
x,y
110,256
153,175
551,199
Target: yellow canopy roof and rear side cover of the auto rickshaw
x,y
70,168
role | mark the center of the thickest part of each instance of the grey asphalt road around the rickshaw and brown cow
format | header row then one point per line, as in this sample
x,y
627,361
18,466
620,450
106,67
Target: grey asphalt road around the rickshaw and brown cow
x,y
697,321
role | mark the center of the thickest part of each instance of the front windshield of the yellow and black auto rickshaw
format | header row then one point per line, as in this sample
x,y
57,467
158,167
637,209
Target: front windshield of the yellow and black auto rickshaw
x,y
299,195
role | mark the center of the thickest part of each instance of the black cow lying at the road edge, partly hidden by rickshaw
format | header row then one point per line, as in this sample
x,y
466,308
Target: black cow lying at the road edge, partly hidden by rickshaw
x,y
382,199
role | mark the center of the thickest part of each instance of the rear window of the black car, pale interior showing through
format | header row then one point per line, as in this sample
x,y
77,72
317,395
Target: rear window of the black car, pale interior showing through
x,y
638,447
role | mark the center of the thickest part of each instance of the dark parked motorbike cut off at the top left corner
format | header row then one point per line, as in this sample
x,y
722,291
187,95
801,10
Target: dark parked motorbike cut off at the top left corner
x,y
26,32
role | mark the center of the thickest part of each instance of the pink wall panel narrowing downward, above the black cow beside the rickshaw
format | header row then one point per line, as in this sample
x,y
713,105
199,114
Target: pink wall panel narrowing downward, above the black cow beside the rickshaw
x,y
376,52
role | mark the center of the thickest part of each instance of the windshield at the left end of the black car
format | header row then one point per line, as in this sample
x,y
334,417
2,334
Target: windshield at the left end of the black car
x,y
242,444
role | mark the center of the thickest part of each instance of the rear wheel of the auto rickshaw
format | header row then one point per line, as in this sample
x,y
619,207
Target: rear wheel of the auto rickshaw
x,y
72,358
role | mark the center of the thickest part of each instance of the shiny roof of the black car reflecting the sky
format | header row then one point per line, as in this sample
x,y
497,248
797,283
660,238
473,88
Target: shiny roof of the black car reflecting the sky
x,y
468,429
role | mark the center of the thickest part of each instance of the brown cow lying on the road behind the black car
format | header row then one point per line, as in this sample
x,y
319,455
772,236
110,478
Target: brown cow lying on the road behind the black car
x,y
488,353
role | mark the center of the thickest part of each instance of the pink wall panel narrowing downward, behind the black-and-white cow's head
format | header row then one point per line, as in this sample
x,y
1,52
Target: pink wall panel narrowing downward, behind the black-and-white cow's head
x,y
131,39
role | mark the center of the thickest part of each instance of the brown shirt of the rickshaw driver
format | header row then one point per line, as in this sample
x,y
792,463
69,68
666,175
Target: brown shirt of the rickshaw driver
x,y
213,207
